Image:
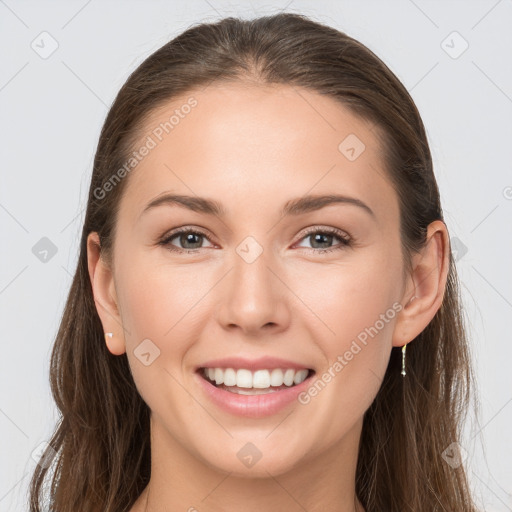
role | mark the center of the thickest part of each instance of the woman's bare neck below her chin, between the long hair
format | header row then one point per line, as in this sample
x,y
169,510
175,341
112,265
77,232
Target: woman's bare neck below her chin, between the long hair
x,y
181,481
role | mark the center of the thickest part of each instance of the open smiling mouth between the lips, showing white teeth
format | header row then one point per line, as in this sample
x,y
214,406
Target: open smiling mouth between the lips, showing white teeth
x,y
243,381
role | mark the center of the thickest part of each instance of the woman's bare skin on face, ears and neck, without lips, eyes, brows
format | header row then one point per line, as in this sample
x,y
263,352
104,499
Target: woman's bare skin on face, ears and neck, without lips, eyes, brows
x,y
252,148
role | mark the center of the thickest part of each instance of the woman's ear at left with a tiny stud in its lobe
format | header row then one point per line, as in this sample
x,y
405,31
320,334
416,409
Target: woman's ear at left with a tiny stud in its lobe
x,y
104,292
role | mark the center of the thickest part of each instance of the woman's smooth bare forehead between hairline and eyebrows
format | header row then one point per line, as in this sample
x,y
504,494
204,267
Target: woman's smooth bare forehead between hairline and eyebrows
x,y
241,142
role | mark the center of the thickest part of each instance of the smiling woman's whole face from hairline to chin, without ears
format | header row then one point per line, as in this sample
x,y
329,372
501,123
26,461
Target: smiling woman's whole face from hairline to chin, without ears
x,y
271,280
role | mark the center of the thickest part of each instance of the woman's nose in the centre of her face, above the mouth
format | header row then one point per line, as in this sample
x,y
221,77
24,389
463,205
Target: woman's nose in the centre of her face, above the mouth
x,y
253,298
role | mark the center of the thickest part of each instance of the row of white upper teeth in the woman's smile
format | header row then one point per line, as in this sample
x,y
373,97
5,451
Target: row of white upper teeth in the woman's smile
x,y
258,379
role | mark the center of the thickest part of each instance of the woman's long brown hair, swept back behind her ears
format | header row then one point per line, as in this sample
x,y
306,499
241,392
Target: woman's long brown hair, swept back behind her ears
x,y
100,449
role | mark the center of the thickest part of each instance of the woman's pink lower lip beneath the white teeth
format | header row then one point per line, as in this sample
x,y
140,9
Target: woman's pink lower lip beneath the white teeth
x,y
252,406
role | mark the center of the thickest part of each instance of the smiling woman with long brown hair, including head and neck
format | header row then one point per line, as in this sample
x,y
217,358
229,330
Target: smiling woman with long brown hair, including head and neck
x,y
269,364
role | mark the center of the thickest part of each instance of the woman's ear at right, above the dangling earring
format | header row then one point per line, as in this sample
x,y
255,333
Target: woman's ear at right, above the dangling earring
x,y
425,287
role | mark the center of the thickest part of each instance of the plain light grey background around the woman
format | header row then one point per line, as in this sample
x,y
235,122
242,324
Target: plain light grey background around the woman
x,y
51,112
